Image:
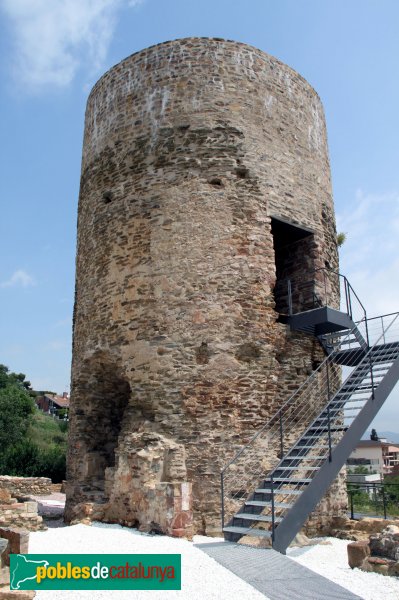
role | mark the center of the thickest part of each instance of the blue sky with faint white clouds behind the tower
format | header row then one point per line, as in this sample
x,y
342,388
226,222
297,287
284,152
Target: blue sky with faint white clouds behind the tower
x,y
53,51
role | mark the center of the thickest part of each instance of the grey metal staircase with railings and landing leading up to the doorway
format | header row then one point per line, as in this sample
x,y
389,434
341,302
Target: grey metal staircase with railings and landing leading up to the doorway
x,y
275,481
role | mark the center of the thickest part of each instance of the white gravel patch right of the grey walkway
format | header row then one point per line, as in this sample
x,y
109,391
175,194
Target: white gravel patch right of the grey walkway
x,y
331,561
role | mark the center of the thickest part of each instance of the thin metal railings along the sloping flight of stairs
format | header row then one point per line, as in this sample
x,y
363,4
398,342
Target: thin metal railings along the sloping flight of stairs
x,y
275,442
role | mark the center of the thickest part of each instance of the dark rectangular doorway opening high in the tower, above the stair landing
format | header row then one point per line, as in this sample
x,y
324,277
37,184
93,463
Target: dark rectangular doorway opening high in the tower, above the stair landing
x,y
294,258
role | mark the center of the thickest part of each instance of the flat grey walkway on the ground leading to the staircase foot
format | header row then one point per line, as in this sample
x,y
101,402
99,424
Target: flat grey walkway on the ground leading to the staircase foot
x,y
276,576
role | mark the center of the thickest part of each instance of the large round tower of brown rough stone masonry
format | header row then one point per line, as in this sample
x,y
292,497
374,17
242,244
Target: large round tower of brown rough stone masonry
x,y
205,182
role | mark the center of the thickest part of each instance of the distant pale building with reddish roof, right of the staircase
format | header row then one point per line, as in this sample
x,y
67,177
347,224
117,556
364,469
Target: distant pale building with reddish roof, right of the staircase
x,y
378,456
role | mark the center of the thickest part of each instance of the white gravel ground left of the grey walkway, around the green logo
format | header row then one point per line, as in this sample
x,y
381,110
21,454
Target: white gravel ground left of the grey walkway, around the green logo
x,y
202,577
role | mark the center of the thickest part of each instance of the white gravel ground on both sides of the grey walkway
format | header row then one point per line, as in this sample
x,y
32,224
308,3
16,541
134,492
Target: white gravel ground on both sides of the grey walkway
x,y
202,577
